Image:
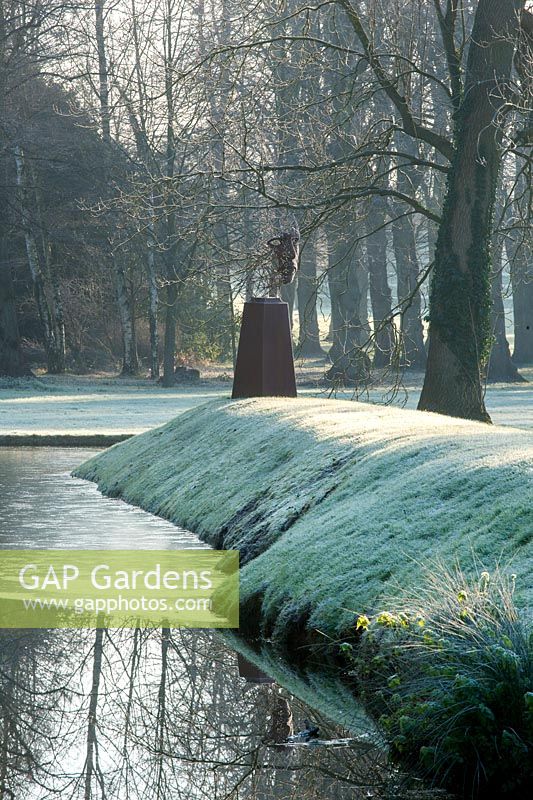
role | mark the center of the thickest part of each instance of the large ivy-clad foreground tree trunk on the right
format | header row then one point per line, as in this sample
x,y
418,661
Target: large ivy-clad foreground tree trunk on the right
x,y
460,335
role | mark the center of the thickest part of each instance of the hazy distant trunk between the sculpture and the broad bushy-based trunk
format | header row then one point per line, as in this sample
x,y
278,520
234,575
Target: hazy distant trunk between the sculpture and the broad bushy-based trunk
x,y
309,334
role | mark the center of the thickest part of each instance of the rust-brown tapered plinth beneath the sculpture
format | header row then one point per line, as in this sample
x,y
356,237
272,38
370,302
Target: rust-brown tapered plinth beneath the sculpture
x,y
265,364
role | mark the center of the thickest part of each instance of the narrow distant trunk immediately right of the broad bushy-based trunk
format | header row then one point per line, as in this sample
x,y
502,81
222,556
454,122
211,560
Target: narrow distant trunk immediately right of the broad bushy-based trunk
x,y
380,292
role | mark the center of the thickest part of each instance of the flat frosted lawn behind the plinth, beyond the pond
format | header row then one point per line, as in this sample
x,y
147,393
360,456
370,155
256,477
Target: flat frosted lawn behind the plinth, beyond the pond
x,y
73,405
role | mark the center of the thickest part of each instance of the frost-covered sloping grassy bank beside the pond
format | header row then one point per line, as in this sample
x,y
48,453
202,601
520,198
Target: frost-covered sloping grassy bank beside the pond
x,y
333,505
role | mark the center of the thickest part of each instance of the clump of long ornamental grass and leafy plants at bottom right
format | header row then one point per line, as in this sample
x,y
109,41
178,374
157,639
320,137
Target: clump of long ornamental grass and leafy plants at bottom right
x,y
450,679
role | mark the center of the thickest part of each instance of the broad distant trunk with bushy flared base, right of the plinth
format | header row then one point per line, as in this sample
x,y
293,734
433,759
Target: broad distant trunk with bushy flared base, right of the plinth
x,y
350,364
